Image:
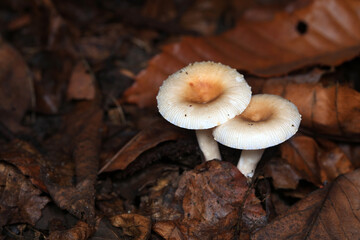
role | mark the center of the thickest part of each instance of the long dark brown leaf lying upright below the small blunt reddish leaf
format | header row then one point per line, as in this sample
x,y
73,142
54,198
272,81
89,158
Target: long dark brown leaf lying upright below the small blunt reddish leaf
x,y
77,143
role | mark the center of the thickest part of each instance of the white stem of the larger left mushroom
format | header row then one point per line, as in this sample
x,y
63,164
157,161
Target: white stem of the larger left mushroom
x,y
208,145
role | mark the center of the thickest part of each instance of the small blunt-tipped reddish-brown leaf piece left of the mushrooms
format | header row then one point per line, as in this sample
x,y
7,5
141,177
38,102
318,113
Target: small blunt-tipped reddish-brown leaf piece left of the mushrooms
x,y
81,85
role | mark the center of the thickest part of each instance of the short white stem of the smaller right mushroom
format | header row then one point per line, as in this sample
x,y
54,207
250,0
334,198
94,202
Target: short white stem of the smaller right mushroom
x,y
248,161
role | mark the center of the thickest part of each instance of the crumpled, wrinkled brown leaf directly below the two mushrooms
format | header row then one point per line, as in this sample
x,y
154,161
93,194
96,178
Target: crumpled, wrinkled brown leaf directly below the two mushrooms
x,y
212,196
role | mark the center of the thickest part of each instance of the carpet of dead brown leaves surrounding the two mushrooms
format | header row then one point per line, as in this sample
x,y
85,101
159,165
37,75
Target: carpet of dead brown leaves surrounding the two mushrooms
x,y
88,167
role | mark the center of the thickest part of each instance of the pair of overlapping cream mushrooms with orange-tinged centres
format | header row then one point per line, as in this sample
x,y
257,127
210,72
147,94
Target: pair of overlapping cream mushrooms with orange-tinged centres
x,y
215,100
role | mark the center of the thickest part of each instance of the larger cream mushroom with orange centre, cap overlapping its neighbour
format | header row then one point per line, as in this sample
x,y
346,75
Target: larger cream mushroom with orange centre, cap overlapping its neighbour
x,y
202,96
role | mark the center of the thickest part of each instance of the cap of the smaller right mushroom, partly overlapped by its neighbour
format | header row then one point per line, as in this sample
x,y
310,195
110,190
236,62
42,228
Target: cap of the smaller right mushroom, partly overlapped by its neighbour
x,y
267,121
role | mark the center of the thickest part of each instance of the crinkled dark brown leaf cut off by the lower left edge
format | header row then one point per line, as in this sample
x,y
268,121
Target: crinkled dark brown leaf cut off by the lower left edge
x,y
20,201
